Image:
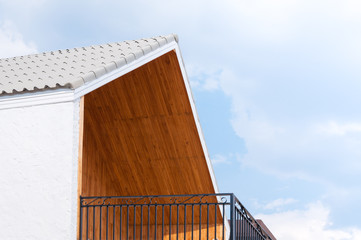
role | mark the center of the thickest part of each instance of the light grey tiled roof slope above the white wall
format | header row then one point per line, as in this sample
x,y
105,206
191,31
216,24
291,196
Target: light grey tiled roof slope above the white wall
x,y
72,68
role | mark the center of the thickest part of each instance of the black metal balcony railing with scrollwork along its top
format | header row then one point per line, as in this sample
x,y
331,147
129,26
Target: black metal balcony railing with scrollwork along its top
x,y
197,216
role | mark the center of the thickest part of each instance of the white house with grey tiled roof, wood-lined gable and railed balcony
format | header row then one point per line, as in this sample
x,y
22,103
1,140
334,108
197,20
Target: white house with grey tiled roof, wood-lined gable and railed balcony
x,y
104,142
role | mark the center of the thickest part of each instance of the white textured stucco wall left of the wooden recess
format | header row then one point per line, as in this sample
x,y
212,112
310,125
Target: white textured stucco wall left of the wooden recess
x,y
38,172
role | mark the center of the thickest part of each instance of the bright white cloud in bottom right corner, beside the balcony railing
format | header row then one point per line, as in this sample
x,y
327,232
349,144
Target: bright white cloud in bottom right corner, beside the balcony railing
x,y
313,222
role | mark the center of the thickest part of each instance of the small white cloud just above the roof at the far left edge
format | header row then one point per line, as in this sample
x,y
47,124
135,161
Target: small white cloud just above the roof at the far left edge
x,y
12,43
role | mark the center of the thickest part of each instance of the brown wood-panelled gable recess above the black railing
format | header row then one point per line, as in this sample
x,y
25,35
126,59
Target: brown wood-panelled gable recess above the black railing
x,y
140,136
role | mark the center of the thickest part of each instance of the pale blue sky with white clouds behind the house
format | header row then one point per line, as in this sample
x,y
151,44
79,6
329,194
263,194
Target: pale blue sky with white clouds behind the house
x,y
276,84
